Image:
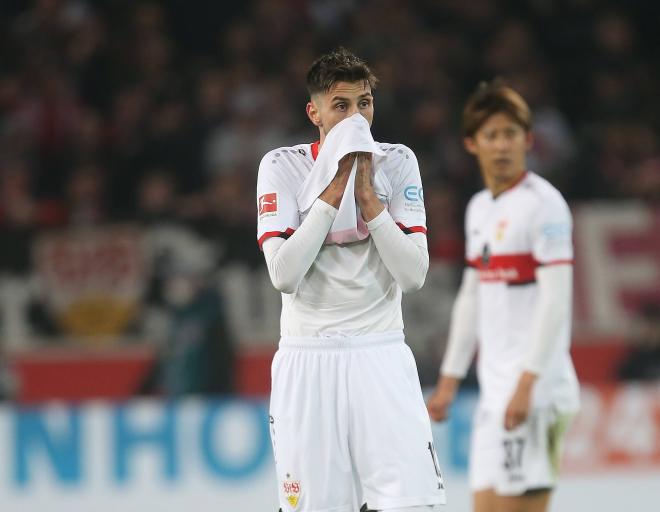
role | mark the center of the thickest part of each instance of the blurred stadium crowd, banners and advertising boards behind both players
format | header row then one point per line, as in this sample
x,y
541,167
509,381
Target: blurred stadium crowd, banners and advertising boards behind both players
x,y
137,321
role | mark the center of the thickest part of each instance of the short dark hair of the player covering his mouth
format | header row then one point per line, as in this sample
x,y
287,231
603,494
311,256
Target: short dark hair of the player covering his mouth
x,y
339,65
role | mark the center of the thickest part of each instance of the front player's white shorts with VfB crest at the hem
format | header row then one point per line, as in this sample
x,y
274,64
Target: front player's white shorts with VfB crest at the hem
x,y
349,426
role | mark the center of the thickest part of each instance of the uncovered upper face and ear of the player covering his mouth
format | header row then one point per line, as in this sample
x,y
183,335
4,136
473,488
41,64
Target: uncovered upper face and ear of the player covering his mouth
x,y
344,99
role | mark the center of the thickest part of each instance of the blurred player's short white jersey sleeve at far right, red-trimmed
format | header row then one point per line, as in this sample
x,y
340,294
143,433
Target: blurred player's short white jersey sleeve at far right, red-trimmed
x,y
551,231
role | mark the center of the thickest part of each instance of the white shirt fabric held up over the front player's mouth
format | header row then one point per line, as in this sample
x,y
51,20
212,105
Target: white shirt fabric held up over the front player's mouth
x,y
348,136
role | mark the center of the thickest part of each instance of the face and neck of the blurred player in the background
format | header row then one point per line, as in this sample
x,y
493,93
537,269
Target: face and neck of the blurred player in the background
x,y
500,146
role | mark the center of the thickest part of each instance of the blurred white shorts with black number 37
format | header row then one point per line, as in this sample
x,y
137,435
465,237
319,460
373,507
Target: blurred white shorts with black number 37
x,y
514,462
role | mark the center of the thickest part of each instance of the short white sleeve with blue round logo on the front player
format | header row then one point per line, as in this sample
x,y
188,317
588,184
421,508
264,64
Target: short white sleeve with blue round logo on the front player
x,y
407,202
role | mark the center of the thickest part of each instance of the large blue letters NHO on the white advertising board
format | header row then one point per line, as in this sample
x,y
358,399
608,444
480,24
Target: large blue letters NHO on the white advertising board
x,y
59,441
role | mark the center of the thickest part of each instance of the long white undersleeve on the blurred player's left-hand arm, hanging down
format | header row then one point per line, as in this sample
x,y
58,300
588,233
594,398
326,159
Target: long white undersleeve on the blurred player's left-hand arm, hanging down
x,y
462,339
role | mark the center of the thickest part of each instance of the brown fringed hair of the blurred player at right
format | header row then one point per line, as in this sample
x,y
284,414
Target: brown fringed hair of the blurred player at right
x,y
493,98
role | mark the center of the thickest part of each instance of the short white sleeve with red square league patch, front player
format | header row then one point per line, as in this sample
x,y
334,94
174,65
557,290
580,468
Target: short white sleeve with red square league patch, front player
x,y
277,208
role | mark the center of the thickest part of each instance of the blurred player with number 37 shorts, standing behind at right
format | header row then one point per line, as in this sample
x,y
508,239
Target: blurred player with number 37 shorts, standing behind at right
x,y
515,299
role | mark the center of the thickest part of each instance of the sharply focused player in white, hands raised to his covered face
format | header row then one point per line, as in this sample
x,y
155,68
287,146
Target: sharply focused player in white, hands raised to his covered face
x,y
348,422
